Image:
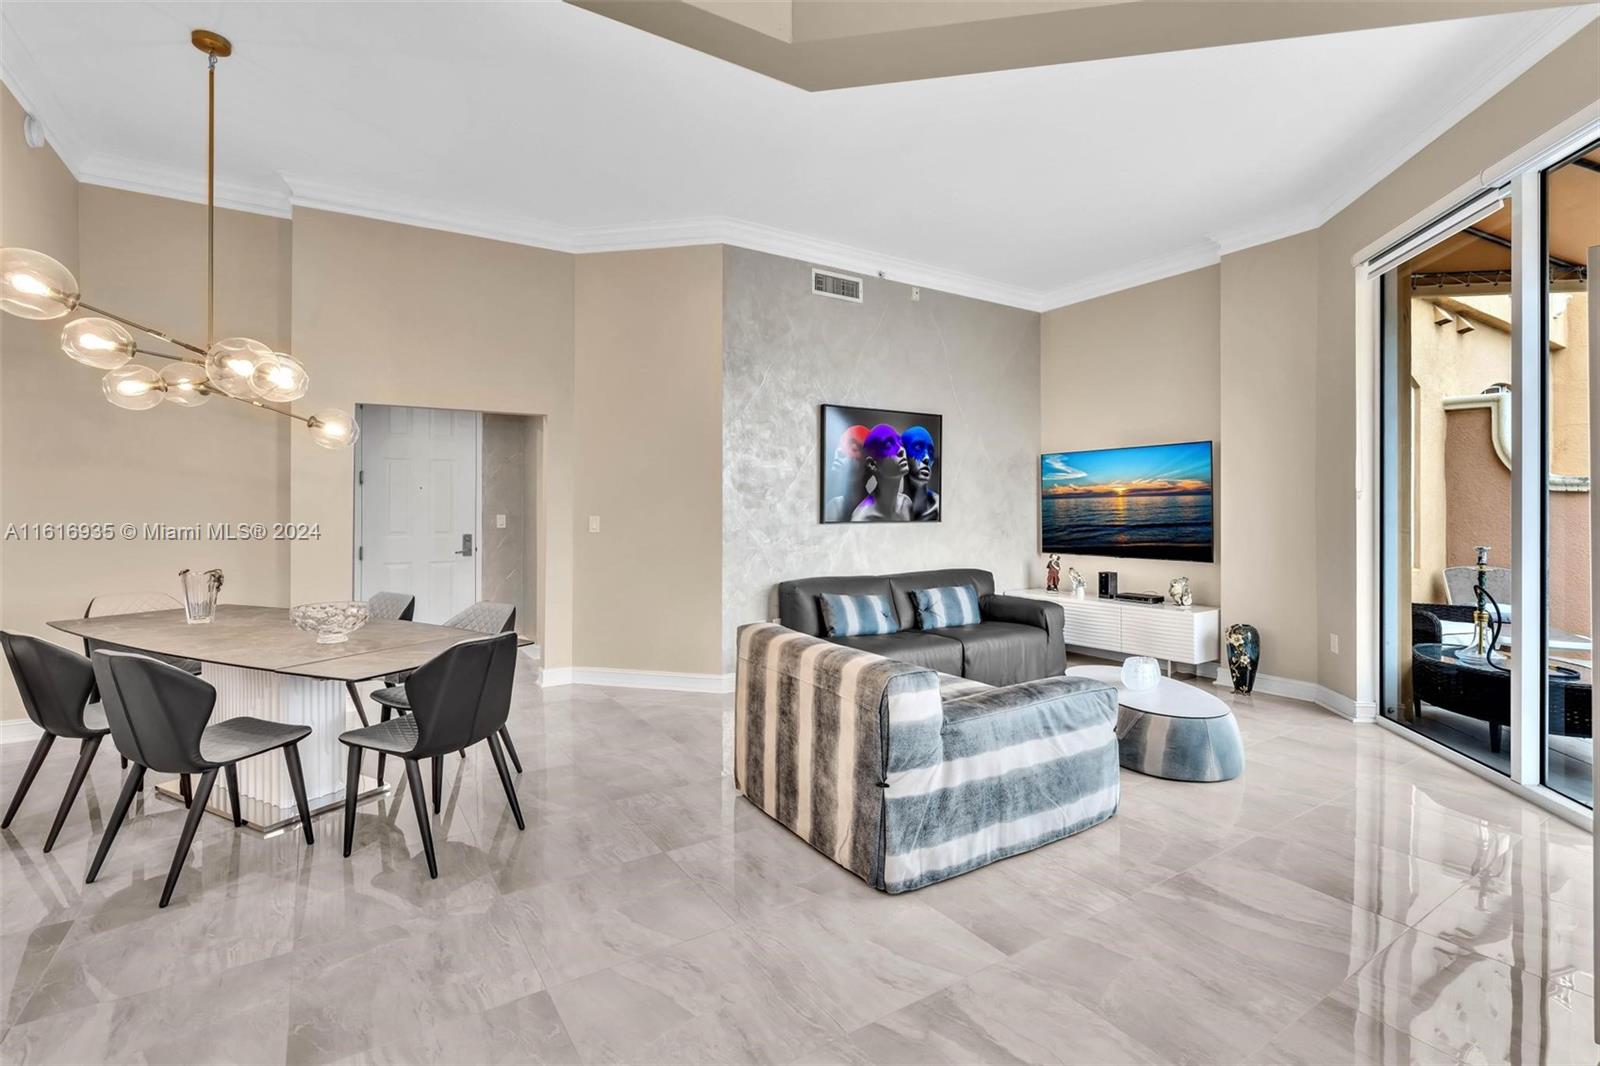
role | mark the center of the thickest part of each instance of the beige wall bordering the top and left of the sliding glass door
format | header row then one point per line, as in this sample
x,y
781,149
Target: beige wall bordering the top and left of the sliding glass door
x,y
1556,89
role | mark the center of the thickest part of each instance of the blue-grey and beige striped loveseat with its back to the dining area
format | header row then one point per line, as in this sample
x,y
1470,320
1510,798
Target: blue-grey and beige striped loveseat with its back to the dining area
x,y
906,783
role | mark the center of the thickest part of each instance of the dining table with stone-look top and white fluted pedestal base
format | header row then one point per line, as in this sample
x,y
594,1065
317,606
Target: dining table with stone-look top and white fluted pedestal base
x,y
262,665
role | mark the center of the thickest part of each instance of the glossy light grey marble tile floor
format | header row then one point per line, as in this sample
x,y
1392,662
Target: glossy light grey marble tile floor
x,y
1350,900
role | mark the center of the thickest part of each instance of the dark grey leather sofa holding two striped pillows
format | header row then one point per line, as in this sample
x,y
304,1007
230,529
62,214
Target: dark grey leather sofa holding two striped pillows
x,y
1017,641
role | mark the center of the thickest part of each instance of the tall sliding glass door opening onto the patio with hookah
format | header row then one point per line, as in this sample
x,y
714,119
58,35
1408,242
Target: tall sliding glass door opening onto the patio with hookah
x,y
1486,459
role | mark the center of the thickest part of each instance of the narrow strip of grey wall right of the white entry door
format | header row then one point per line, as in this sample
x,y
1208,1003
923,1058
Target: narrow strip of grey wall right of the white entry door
x,y
506,492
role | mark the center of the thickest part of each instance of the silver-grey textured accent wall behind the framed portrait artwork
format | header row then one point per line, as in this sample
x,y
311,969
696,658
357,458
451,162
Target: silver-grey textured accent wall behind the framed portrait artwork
x,y
788,351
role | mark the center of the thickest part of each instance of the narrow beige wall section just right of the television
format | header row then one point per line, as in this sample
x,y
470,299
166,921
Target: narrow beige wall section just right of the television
x,y
1270,451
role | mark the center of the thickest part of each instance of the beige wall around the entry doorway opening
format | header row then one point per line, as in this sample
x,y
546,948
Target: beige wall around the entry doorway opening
x,y
418,318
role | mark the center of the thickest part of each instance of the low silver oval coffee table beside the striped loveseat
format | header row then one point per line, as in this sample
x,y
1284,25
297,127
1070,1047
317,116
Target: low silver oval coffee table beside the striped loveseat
x,y
1174,731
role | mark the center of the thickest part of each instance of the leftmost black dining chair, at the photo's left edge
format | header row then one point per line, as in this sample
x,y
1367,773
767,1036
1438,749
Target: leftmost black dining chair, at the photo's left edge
x,y
57,686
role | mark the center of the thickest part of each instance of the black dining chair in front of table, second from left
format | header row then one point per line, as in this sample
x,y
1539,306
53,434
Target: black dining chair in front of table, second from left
x,y
159,719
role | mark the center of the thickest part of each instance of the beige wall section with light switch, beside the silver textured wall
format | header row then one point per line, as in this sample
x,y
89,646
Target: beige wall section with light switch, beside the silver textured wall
x,y
649,390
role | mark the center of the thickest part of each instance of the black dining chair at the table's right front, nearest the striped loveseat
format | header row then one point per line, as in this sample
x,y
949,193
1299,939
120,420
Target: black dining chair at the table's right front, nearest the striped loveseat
x,y
457,700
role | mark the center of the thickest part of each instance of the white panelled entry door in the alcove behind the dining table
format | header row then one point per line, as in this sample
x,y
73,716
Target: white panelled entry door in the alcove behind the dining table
x,y
418,508
